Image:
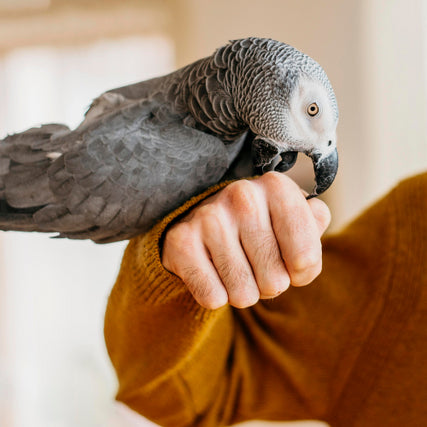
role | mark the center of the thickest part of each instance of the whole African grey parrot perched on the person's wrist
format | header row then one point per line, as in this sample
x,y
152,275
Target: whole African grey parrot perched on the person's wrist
x,y
143,149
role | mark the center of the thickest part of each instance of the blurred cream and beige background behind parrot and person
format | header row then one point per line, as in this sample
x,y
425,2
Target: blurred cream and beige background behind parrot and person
x,y
57,55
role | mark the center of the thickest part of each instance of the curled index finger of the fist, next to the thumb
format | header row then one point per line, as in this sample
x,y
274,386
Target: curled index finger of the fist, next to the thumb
x,y
295,228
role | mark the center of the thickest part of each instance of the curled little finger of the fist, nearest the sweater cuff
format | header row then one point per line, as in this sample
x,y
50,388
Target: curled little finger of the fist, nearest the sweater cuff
x,y
185,255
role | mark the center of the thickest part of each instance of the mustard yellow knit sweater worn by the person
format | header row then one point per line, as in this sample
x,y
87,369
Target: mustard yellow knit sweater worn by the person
x,y
350,349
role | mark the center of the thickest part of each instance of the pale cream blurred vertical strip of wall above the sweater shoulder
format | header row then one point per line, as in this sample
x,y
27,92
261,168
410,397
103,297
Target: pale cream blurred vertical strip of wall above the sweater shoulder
x,y
394,80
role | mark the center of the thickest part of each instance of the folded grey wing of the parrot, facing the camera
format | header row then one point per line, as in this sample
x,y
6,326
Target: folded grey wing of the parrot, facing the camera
x,y
128,172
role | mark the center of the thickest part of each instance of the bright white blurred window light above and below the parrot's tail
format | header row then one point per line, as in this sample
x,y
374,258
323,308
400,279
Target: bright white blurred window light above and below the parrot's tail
x,y
54,369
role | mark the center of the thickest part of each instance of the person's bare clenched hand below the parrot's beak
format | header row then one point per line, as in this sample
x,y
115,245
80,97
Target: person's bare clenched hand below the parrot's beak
x,y
250,240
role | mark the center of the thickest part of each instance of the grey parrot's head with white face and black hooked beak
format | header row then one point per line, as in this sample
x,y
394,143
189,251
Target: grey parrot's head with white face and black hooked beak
x,y
288,102
